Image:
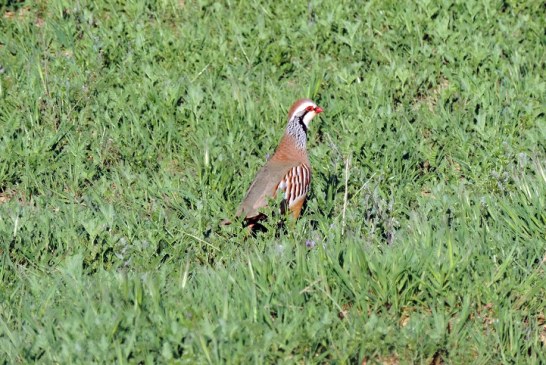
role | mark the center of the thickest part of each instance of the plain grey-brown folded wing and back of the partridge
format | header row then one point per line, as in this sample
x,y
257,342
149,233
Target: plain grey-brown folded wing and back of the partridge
x,y
264,186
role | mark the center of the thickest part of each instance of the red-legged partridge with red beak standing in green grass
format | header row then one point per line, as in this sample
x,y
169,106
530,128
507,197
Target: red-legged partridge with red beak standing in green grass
x,y
288,171
